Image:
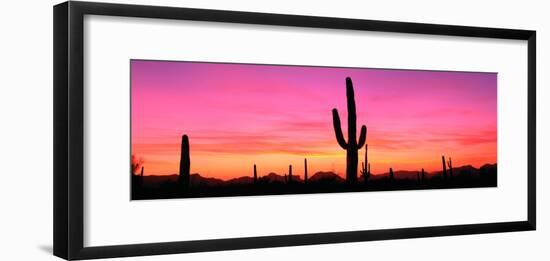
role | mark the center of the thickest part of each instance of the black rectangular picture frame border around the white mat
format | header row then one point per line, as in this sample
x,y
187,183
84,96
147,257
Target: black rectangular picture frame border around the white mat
x,y
69,116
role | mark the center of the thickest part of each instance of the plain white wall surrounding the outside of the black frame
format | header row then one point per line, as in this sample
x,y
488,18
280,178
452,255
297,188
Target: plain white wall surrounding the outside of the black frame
x,y
26,129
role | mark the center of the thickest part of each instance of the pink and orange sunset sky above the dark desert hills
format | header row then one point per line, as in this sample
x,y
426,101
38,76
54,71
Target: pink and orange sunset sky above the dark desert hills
x,y
239,114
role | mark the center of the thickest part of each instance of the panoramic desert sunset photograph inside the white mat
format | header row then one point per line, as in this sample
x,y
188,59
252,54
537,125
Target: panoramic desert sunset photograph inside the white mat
x,y
204,129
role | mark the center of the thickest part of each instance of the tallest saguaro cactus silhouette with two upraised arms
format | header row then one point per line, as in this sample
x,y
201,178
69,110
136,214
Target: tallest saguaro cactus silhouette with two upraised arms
x,y
352,145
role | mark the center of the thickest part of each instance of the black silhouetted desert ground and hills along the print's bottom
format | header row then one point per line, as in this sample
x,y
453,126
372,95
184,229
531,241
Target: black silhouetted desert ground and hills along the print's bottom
x,y
166,186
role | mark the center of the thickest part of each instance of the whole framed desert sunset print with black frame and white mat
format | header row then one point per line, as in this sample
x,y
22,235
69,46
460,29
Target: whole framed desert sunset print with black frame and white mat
x,y
183,130
